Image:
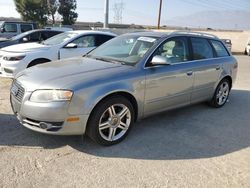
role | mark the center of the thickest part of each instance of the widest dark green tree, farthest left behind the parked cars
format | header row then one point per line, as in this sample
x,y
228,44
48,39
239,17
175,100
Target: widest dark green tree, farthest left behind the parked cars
x,y
33,10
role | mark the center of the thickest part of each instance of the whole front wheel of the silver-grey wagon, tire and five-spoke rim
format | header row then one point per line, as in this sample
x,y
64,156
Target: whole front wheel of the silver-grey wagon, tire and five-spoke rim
x,y
105,126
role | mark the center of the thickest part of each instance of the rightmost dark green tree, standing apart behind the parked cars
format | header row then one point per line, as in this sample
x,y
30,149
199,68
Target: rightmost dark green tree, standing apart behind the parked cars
x,y
66,10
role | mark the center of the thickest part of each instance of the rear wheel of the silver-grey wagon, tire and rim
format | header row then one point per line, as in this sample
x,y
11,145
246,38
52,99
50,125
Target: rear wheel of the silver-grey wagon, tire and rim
x,y
221,94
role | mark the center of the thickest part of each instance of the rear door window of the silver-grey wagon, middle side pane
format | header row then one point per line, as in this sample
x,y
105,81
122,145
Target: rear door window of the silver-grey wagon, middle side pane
x,y
201,49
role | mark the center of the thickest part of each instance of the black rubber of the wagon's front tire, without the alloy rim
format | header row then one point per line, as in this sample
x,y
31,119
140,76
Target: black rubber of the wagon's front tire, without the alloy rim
x,y
93,123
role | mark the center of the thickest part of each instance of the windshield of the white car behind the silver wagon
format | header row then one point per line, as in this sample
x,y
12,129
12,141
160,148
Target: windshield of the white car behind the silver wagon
x,y
59,39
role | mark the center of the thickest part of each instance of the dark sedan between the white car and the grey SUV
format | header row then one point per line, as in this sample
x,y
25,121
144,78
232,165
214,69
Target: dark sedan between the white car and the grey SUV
x,y
36,35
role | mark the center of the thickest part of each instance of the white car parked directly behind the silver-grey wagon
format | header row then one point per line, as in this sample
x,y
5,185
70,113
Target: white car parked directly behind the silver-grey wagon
x,y
16,58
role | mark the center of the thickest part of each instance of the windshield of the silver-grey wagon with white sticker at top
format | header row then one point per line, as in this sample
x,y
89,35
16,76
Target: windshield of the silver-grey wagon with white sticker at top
x,y
128,49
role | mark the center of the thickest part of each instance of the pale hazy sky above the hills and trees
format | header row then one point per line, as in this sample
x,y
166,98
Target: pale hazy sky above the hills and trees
x,y
145,12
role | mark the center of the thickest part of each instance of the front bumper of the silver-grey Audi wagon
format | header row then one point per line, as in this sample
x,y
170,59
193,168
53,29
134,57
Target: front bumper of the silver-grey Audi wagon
x,y
49,118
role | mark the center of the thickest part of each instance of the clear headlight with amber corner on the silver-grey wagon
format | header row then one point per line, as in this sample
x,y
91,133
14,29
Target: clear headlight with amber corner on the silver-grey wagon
x,y
51,95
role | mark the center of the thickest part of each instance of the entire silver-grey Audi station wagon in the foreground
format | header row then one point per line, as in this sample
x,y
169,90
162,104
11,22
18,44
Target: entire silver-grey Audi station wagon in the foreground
x,y
127,78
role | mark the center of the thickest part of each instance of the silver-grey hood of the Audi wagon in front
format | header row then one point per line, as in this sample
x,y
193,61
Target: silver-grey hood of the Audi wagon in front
x,y
65,74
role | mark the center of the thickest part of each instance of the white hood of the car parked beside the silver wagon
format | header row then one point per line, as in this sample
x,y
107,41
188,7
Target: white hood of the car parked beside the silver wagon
x,y
27,47
